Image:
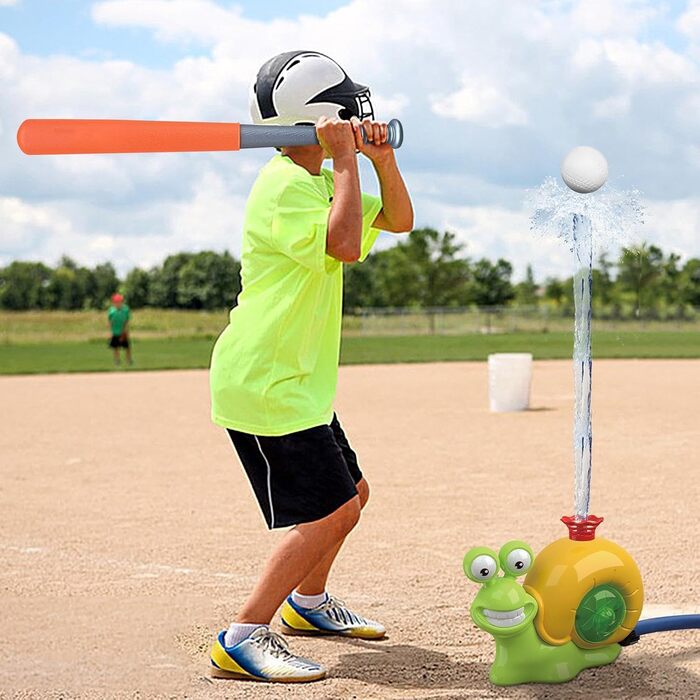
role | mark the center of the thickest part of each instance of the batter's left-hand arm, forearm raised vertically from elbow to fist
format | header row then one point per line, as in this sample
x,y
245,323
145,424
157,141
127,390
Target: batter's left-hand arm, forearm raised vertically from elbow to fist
x,y
344,236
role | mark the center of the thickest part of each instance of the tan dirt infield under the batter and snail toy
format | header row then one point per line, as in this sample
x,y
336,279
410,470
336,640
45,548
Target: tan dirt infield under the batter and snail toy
x,y
128,534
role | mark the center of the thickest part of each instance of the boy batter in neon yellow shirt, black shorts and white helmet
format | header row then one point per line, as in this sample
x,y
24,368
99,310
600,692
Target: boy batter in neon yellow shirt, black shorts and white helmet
x,y
274,368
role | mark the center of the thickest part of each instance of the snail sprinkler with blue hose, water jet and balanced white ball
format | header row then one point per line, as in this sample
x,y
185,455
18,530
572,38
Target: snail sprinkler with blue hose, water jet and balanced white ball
x,y
582,596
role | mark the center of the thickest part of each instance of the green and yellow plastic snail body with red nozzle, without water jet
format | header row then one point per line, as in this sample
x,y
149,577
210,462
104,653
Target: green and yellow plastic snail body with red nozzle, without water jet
x,y
581,597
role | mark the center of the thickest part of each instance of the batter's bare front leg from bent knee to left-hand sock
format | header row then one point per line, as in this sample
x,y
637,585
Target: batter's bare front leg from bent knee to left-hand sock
x,y
298,554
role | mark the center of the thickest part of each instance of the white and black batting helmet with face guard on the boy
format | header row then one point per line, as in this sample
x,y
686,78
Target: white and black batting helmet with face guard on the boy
x,y
298,87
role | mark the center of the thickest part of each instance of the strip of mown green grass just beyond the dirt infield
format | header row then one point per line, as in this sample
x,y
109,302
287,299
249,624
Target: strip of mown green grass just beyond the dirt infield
x,y
188,353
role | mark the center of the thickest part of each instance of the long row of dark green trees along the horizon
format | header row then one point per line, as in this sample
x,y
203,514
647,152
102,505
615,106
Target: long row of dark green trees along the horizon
x,y
425,269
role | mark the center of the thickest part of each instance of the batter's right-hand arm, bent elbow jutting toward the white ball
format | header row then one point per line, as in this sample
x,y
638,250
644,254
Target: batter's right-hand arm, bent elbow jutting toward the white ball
x,y
397,211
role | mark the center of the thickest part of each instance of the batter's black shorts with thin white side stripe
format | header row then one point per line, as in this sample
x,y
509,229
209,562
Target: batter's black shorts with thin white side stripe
x,y
299,477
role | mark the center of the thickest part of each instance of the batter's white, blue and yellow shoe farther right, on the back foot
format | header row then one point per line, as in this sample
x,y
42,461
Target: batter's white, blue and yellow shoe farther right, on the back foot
x,y
330,617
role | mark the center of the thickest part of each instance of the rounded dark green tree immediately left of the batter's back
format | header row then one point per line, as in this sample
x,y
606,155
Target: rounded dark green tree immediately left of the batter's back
x,y
208,281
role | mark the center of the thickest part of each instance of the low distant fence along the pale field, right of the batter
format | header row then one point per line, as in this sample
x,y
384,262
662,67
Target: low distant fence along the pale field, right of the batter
x,y
486,320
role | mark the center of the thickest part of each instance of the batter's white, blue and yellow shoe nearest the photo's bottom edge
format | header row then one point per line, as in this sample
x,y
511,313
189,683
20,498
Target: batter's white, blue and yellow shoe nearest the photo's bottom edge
x,y
262,656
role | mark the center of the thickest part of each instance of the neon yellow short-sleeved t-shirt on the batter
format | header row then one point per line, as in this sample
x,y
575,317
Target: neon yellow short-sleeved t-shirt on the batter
x,y
274,368
